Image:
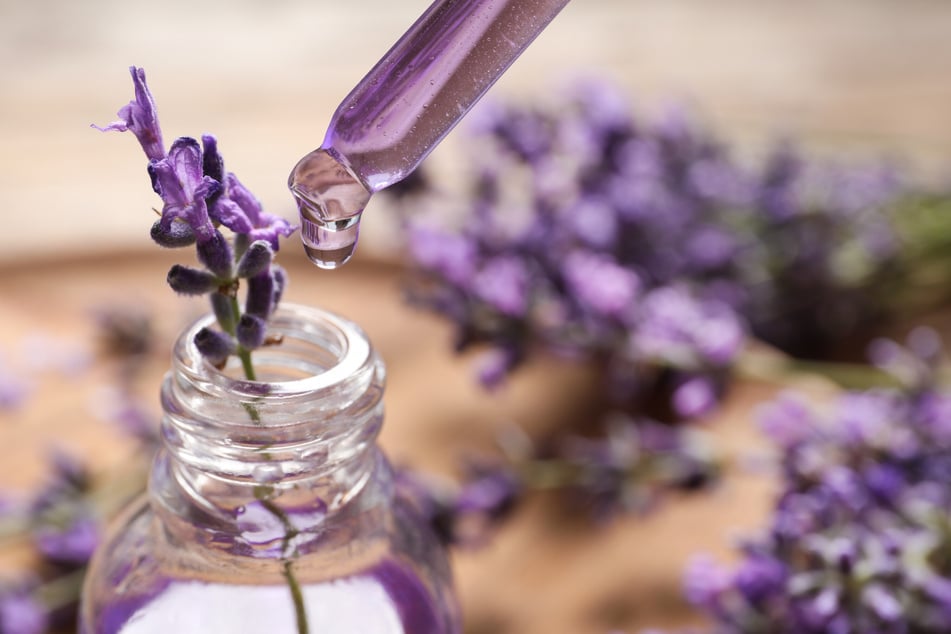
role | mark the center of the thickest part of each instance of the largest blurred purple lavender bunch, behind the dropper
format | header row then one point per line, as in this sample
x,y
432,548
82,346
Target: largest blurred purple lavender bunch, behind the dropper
x,y
645,246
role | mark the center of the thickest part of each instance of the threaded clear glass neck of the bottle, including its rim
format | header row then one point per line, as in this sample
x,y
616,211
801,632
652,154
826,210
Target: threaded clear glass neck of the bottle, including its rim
x,y
309,421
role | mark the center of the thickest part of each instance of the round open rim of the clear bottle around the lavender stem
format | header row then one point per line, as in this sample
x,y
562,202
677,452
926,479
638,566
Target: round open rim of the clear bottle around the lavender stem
x,y
313,351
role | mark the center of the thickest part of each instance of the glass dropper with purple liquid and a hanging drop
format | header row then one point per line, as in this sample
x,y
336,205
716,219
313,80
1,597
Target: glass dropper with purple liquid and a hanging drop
x,y
403,108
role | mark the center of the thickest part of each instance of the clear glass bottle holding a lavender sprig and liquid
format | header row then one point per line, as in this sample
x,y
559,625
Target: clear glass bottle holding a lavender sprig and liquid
x,y
270,507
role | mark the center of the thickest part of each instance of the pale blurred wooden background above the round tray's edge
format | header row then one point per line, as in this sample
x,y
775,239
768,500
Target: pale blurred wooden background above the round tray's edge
x,y
867,77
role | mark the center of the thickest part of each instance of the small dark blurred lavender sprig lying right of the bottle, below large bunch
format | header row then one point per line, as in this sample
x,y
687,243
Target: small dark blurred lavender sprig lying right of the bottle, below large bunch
x,y
630,469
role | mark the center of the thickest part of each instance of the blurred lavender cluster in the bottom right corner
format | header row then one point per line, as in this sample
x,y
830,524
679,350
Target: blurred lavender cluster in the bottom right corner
x,y
860,538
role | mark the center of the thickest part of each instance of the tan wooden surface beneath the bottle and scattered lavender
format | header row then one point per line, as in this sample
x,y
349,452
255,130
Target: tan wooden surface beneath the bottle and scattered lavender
x,y
539,574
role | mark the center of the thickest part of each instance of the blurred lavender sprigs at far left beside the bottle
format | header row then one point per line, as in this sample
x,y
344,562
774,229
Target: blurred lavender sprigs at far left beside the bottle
x,y
63,520
